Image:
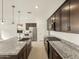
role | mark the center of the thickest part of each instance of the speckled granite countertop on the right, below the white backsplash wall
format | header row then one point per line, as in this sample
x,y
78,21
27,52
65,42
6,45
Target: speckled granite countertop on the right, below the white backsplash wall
x,y
65,50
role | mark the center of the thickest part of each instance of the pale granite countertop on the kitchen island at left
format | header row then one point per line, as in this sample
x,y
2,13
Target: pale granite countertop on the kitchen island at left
x,y
11,46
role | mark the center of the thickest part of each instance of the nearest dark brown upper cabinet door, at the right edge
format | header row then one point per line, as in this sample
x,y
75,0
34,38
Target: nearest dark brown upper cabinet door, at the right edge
x,y
74,16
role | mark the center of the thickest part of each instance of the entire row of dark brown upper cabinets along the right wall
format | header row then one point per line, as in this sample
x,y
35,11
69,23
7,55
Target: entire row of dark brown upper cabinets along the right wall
x,y
66,17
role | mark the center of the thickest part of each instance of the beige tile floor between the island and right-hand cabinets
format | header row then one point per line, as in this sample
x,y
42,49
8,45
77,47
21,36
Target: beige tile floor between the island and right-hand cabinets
x,y
38,51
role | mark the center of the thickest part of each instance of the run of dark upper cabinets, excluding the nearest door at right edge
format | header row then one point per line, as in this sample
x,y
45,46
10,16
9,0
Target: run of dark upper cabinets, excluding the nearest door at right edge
x,y
61,18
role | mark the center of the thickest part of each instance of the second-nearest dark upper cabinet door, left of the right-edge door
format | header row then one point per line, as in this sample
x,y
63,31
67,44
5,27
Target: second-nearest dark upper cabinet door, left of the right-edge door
x,y
65,12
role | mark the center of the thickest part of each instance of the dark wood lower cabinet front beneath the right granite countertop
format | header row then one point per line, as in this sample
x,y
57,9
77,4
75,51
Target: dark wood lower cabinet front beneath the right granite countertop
x,y
53,54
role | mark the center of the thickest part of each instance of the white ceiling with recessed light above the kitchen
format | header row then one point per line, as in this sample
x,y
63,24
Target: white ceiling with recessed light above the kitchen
x,y
46,8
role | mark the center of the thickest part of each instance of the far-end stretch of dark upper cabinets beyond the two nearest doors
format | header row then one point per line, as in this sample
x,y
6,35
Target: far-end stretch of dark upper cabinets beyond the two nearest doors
x,y
54,22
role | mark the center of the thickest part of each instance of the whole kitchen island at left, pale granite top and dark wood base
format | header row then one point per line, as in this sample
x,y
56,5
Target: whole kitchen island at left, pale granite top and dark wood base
x,y
14,49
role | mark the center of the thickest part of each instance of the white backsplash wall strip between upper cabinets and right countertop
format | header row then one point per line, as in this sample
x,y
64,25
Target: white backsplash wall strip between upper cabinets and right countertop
x,y
71,37
